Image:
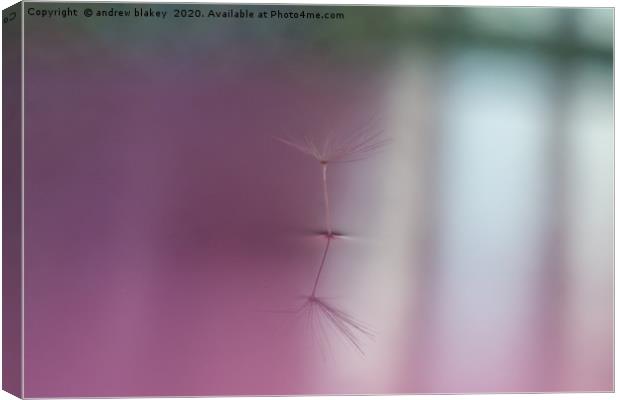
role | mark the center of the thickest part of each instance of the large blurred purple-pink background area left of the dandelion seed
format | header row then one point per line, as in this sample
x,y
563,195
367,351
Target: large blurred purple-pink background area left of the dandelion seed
x,y
166,224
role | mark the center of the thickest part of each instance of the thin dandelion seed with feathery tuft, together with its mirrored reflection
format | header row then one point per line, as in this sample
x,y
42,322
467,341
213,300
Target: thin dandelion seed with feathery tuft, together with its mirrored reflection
x,y
352,146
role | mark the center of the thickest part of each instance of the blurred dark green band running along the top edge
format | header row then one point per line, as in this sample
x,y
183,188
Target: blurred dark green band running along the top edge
x,y
365,31
